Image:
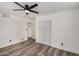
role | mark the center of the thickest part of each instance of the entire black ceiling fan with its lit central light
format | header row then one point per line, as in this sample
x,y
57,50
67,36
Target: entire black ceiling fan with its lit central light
x,y
26,8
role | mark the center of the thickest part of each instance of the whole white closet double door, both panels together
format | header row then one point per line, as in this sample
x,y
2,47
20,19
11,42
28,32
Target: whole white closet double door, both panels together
x,y
44,29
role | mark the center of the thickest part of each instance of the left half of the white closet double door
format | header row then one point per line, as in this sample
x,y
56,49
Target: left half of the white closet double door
x,y
41,30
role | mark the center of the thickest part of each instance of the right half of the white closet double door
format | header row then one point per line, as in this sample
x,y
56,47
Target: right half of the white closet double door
x,y
47,32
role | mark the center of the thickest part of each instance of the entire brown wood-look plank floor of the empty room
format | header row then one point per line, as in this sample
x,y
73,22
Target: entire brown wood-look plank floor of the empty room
x,y
31,48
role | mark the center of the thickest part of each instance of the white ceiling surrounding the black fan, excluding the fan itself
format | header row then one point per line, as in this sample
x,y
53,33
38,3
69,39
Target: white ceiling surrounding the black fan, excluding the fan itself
x,y
43,8
